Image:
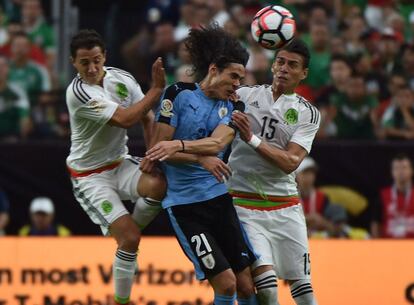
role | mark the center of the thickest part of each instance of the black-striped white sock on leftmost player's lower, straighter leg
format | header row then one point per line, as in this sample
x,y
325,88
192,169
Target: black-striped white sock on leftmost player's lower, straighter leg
x,y
123,271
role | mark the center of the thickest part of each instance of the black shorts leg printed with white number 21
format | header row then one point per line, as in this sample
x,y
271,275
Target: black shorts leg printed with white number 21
x,y
197,241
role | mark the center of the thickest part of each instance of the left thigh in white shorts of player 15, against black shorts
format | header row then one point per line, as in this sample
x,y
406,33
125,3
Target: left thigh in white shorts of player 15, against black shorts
x,y
255,226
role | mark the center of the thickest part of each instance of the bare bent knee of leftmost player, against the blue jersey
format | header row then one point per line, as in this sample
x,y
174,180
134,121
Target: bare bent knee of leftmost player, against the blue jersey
x,y
152,185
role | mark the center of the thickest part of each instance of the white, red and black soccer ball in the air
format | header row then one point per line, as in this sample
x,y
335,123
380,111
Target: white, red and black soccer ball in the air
x,y
273,27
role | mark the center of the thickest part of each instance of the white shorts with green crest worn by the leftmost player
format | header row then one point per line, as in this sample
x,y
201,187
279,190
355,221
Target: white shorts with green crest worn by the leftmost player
x,y
101,195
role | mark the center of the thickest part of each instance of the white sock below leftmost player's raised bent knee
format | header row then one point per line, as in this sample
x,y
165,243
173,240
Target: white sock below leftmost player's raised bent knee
x,y
145,211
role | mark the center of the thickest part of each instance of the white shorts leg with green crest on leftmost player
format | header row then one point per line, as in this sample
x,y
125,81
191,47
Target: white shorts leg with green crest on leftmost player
x,y
98,197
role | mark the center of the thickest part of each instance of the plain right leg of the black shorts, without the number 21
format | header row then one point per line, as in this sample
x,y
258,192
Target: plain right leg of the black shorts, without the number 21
x,y
232,238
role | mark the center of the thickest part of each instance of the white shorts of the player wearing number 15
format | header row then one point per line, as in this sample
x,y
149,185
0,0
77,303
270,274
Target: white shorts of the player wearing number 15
x,y
279,238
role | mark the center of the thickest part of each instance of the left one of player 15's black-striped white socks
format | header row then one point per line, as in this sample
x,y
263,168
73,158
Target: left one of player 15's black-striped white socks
x,y
266,286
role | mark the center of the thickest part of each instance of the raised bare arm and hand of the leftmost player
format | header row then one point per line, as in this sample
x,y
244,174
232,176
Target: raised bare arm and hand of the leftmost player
x,y
126,117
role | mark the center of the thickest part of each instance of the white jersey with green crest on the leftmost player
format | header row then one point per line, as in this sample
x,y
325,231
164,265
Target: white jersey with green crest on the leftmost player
x,y
94,143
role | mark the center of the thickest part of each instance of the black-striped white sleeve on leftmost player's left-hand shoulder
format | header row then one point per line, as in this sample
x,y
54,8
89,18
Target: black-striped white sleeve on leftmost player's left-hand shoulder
x,y
88,103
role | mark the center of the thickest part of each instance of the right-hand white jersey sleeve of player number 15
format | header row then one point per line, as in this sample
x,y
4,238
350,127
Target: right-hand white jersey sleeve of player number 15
x,y
307,128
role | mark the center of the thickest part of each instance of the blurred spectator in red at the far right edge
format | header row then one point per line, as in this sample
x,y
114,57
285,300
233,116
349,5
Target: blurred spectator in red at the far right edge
x,y
397,202
